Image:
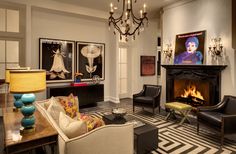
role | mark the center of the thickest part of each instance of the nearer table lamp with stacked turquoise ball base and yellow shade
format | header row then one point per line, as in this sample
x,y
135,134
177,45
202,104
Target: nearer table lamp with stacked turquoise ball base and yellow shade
x,y
27,82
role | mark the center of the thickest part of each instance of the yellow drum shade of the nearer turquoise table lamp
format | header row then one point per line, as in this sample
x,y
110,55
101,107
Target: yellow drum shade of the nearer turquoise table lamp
x,y
27,81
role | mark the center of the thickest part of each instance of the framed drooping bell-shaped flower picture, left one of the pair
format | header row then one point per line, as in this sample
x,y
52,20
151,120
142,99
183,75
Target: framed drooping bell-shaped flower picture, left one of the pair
x,y
57,57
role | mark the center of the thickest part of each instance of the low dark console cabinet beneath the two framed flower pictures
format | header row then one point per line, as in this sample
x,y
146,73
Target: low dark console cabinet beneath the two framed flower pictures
x,y
88,94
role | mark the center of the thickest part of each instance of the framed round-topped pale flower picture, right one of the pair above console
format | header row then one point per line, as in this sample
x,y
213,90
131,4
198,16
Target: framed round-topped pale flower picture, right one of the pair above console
x,y
90,58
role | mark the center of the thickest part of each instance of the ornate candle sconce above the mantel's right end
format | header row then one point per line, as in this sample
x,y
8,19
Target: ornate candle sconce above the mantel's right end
x,y
216,50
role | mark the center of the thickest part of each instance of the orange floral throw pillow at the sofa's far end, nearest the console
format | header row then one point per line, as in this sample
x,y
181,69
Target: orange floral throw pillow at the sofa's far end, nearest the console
x,y
70,105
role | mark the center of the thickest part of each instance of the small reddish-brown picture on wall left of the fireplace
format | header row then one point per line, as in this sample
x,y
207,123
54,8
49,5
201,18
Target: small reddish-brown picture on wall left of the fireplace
x,y
147,65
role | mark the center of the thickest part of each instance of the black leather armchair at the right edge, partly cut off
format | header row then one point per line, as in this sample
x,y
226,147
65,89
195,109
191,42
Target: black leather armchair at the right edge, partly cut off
x,y
221,117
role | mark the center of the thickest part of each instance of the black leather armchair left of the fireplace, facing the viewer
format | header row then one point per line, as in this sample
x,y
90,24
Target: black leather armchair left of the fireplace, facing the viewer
x,y
149,97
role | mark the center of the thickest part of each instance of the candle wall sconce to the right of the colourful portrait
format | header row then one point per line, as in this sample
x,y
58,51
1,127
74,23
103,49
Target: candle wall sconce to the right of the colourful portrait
x,y
216,48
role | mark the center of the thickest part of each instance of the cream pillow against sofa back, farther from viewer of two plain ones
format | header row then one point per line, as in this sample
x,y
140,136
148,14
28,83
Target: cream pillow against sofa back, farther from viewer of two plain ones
x,y
54,109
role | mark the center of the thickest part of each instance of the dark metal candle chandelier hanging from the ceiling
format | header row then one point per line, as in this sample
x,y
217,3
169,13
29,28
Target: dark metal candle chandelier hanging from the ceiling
x,y
127,24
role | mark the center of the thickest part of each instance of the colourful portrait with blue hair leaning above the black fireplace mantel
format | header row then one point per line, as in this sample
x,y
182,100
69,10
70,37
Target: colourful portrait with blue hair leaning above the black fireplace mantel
x,y
189,48
